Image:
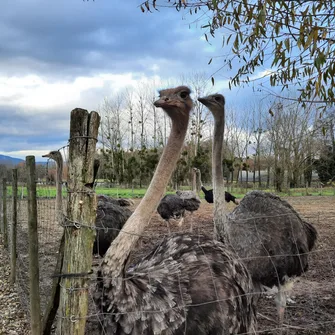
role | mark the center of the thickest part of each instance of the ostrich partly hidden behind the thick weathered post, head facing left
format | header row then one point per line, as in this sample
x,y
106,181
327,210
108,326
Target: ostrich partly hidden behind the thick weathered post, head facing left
x,y
110,216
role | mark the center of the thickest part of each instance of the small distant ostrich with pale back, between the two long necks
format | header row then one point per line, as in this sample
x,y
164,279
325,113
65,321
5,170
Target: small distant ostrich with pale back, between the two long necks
x,y
173,206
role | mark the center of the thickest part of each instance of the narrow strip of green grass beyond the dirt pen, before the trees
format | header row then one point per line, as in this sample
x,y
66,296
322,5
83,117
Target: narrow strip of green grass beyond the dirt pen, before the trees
x,y
50,192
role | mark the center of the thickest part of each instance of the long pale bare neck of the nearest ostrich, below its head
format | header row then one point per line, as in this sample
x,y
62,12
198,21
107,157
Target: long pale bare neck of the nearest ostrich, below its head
x,y
121,247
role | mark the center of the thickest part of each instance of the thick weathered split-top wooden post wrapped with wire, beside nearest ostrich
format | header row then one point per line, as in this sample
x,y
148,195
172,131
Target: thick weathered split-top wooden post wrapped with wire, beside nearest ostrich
x,y
81,214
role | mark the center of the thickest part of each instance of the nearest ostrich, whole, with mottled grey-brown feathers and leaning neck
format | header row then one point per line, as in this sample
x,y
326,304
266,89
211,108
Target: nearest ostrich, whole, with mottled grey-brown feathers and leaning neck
x,y
187,284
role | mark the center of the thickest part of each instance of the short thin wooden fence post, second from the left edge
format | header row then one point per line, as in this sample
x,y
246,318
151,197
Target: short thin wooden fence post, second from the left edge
x,y
13,230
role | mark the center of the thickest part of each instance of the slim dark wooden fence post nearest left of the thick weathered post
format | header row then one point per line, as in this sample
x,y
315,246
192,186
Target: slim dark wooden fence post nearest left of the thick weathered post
x,y
34,291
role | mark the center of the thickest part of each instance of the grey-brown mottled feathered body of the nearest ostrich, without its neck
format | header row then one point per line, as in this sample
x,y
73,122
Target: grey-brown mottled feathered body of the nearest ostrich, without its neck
x,y
183,273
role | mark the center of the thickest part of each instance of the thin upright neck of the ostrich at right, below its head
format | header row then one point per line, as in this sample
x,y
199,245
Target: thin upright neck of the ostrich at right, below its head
x,y
220,220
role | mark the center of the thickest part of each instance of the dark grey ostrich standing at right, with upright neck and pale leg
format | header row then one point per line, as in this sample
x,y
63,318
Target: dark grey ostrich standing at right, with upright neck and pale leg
x,y
264,230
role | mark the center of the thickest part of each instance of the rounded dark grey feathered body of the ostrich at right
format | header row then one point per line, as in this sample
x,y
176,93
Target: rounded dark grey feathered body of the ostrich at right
x,y
271,238
